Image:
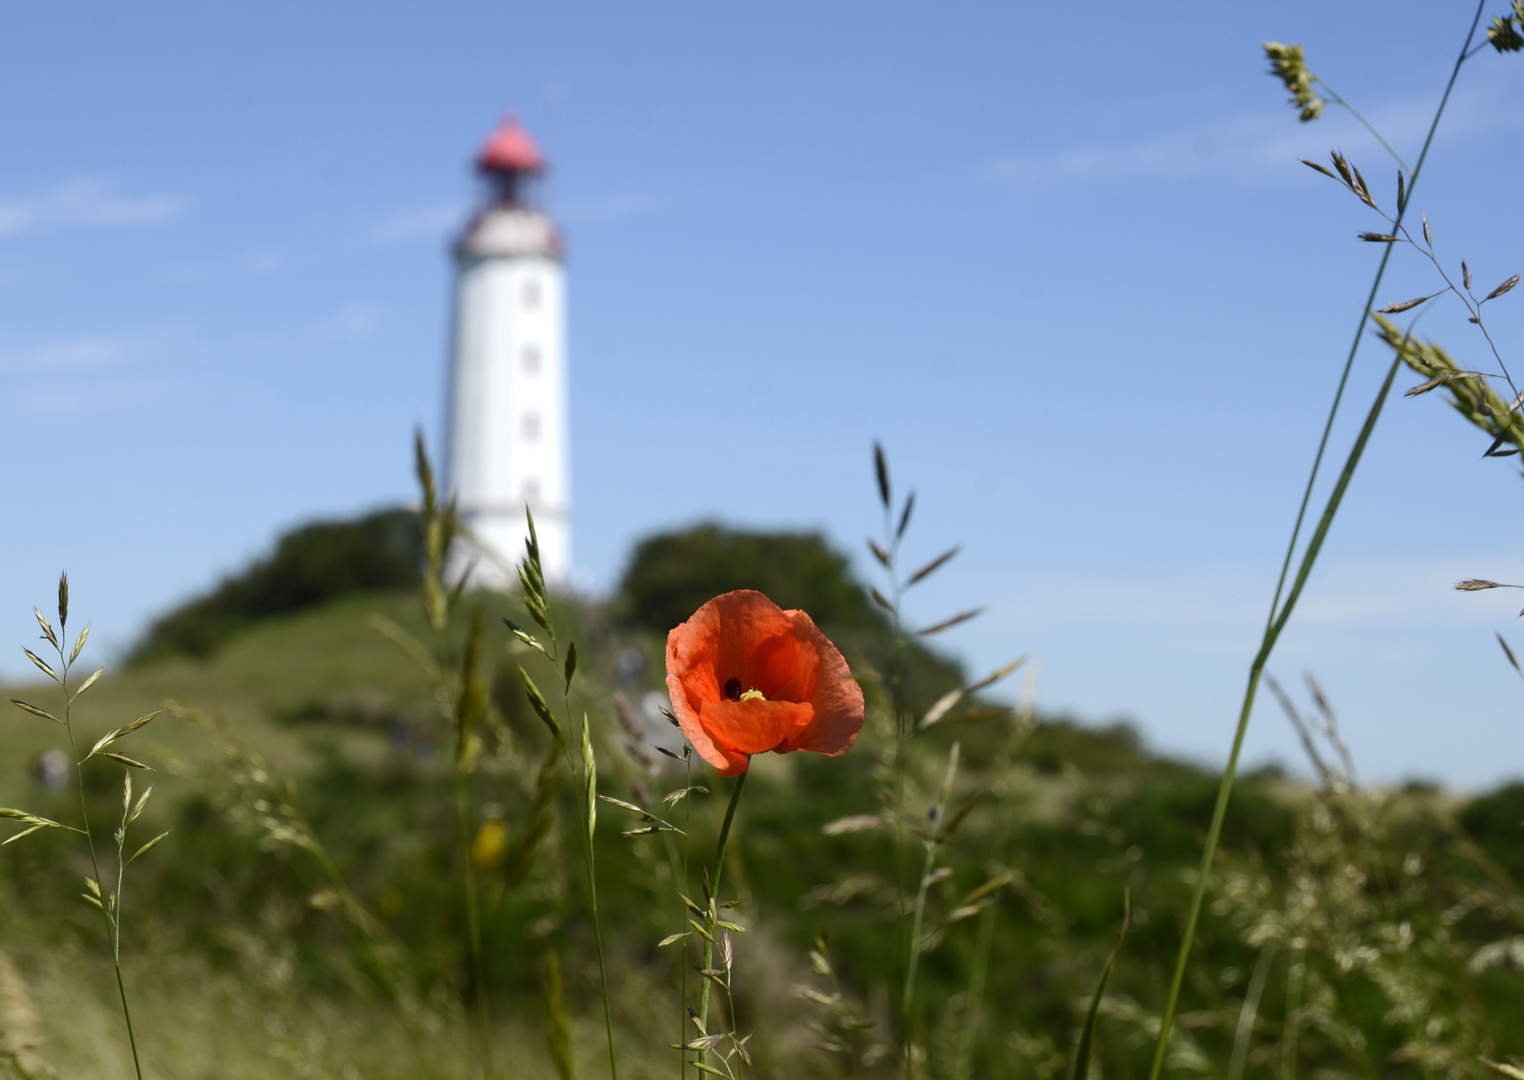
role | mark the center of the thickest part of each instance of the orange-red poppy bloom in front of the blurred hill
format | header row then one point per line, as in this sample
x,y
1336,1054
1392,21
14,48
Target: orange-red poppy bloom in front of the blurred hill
x,y
748,677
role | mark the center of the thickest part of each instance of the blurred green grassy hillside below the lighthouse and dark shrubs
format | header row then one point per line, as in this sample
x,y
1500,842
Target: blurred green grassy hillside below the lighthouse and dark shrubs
x,y
231,922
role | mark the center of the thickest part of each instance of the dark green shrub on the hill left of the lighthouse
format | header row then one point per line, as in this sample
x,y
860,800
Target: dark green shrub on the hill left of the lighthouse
x,y
310,566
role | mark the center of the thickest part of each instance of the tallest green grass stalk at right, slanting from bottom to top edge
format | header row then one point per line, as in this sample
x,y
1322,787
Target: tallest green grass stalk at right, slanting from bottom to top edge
x,y
1279,618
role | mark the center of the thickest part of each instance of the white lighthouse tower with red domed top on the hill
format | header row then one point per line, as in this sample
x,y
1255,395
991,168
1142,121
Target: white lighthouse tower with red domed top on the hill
x,y
508,397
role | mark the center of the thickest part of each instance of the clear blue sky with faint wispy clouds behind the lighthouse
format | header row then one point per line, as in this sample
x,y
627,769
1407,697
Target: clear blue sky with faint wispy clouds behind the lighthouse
x,y
1061,261
